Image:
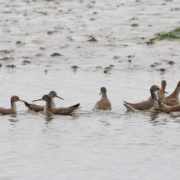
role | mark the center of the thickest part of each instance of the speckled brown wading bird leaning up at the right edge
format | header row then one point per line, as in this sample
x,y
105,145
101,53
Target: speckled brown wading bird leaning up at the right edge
x,y
173,99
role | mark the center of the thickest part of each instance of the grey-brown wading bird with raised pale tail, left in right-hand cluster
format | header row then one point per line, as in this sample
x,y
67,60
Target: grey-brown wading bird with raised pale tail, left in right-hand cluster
x,y
151,103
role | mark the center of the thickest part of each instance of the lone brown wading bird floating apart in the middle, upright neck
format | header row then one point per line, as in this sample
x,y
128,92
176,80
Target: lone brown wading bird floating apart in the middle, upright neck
x,y
104,103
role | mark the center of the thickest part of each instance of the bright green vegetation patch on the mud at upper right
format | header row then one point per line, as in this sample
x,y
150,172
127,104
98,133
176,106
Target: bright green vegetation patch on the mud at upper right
x,y
175,34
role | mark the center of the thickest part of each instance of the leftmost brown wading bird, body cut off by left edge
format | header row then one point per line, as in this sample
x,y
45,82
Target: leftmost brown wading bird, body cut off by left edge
x,y
11,110
